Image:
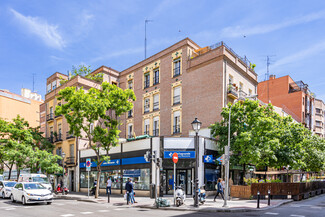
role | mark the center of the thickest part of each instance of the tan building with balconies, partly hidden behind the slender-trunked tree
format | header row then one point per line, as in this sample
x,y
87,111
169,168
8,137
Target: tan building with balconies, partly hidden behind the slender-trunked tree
x,y
56,127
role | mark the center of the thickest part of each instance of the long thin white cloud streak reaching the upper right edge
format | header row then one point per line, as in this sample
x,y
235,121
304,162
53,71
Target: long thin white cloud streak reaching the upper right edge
x,y
239,31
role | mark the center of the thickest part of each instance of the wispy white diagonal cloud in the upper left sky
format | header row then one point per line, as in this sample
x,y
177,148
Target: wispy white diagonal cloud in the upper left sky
x,y
39,27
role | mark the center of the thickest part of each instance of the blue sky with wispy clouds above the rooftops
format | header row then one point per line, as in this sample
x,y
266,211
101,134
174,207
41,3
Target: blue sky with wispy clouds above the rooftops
x,y
42,37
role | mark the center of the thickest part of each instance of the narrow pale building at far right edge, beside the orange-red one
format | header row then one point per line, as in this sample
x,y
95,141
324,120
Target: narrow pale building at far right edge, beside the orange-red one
x,y
319,127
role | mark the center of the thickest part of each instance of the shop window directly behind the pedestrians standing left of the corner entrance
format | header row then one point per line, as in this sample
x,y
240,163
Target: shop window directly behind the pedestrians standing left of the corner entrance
x,y
140,178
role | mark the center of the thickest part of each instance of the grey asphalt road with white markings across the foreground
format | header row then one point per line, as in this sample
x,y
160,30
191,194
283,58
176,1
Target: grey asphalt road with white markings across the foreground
x,y
313,207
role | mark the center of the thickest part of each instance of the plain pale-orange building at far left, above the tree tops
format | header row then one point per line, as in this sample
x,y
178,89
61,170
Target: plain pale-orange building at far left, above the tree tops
x,y
12,104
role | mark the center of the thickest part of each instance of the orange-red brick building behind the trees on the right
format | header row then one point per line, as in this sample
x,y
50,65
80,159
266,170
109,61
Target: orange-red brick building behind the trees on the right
x,y
293,97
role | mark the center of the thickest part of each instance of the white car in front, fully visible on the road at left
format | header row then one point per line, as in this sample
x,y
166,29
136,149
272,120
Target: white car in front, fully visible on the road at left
x,y
30,192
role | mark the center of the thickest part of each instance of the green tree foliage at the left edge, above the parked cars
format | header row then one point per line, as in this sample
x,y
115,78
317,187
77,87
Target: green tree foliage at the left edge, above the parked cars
x,y
24,147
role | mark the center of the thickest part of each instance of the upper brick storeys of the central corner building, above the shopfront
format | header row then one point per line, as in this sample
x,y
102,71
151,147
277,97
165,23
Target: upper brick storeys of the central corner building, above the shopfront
x,y
182,82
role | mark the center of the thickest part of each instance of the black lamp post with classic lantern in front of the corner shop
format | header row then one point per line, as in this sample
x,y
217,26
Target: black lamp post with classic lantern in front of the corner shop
x,y
196,125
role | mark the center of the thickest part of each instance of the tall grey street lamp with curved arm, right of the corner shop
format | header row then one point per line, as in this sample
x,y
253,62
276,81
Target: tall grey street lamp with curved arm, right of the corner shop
x,y
227,148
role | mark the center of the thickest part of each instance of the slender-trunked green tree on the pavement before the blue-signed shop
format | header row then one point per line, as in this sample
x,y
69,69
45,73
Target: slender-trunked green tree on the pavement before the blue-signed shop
x,y
96,113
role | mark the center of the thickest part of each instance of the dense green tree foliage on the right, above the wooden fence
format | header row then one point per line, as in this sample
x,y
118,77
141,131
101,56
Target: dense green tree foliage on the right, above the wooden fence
x,y
261,137
